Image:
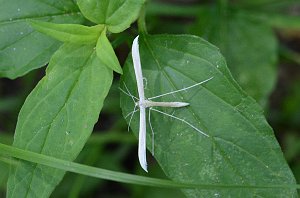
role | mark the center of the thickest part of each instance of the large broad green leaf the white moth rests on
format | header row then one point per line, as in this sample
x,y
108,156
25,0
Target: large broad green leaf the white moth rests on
x,y
241,147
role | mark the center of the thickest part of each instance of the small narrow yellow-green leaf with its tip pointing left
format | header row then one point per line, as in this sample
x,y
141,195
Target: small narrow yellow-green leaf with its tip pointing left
x,y
70,33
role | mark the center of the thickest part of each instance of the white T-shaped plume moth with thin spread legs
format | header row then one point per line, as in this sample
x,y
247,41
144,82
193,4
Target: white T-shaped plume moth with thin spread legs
x,y
143,103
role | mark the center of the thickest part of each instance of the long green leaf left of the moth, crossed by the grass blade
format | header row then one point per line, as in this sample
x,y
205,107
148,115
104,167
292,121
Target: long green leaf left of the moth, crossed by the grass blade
x,y
58,117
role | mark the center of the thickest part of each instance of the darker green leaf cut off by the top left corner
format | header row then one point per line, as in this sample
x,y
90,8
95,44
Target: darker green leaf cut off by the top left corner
x,y
21,48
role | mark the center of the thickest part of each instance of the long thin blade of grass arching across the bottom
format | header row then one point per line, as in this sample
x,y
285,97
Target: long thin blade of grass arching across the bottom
x,y
11,151
